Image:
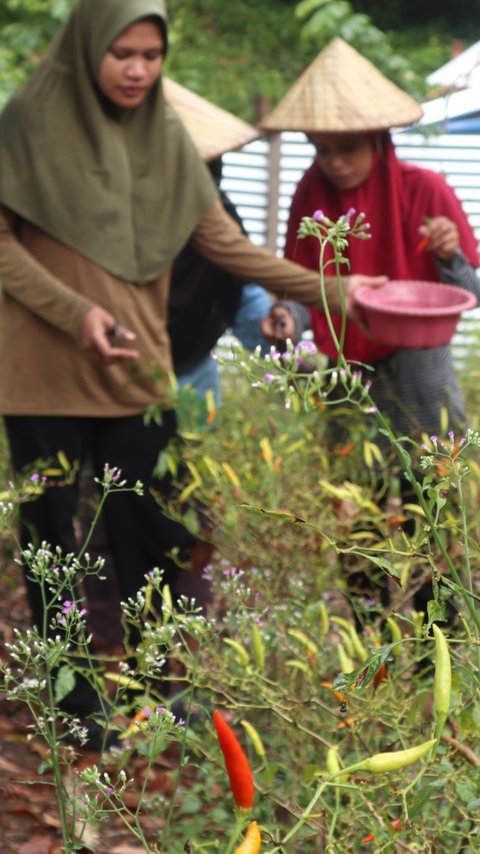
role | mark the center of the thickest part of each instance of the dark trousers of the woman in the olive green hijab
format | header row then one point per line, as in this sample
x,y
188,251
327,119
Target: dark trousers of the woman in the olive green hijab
x,y
138,533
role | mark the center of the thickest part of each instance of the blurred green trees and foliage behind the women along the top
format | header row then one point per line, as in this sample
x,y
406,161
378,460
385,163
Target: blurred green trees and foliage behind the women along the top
x,y
243,54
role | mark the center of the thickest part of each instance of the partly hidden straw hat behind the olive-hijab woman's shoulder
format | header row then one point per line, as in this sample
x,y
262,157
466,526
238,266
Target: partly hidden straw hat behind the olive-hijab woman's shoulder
x,y
213,130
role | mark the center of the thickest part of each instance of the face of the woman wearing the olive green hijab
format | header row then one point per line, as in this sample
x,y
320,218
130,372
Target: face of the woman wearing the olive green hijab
x,y
132,64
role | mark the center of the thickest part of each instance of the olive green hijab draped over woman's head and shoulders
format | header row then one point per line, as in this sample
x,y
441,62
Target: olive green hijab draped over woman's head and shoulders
x,y
124,188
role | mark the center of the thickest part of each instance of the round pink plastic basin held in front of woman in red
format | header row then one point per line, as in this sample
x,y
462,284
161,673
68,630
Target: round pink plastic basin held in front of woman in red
x,y
413,314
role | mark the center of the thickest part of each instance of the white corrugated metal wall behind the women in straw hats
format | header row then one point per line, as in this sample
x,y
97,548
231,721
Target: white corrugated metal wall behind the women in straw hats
x,y
261,178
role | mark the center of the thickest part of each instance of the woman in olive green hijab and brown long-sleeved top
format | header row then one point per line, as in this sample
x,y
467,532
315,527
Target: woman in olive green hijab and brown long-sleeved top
x,y
100,187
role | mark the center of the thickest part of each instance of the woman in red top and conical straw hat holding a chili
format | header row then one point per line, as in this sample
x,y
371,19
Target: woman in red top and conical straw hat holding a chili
x,y
418,230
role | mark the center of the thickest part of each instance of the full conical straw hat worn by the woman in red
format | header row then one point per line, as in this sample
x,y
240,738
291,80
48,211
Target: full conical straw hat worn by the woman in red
x,y
340,92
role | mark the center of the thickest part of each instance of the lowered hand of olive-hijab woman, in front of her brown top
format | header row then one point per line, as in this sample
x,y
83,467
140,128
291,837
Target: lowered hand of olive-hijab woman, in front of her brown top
x,y
99,335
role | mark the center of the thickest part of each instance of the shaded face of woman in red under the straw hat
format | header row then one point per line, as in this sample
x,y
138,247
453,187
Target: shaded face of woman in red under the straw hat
x,y
345,159
